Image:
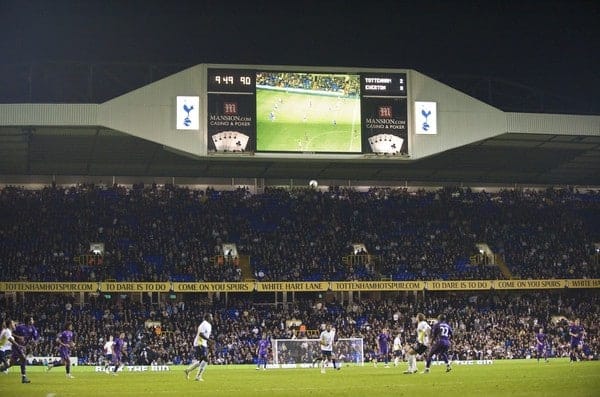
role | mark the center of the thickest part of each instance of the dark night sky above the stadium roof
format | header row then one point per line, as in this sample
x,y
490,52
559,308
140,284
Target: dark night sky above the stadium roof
x,y
549,45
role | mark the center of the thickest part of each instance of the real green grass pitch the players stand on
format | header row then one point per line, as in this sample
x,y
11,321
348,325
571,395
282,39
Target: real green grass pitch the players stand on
x,y
502,378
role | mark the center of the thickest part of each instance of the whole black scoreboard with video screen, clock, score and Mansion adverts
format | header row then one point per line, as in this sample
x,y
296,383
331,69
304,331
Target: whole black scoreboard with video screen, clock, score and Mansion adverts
x,y
297,111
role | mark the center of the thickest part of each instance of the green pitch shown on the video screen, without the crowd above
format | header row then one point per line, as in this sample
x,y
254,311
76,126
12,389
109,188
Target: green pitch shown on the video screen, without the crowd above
x,y
297,122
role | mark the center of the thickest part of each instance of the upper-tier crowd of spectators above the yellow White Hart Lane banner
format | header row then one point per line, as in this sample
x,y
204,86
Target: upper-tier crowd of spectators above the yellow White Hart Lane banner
x,y
153,233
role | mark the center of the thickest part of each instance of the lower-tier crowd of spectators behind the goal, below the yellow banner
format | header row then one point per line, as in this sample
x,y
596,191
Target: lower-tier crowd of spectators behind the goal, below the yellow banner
x,y
487,325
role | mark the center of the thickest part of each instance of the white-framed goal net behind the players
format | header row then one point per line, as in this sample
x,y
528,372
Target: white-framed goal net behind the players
x,y
294,353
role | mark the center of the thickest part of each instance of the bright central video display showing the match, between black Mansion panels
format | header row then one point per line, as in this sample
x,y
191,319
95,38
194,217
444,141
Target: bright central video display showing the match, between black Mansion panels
x,y
308,112
